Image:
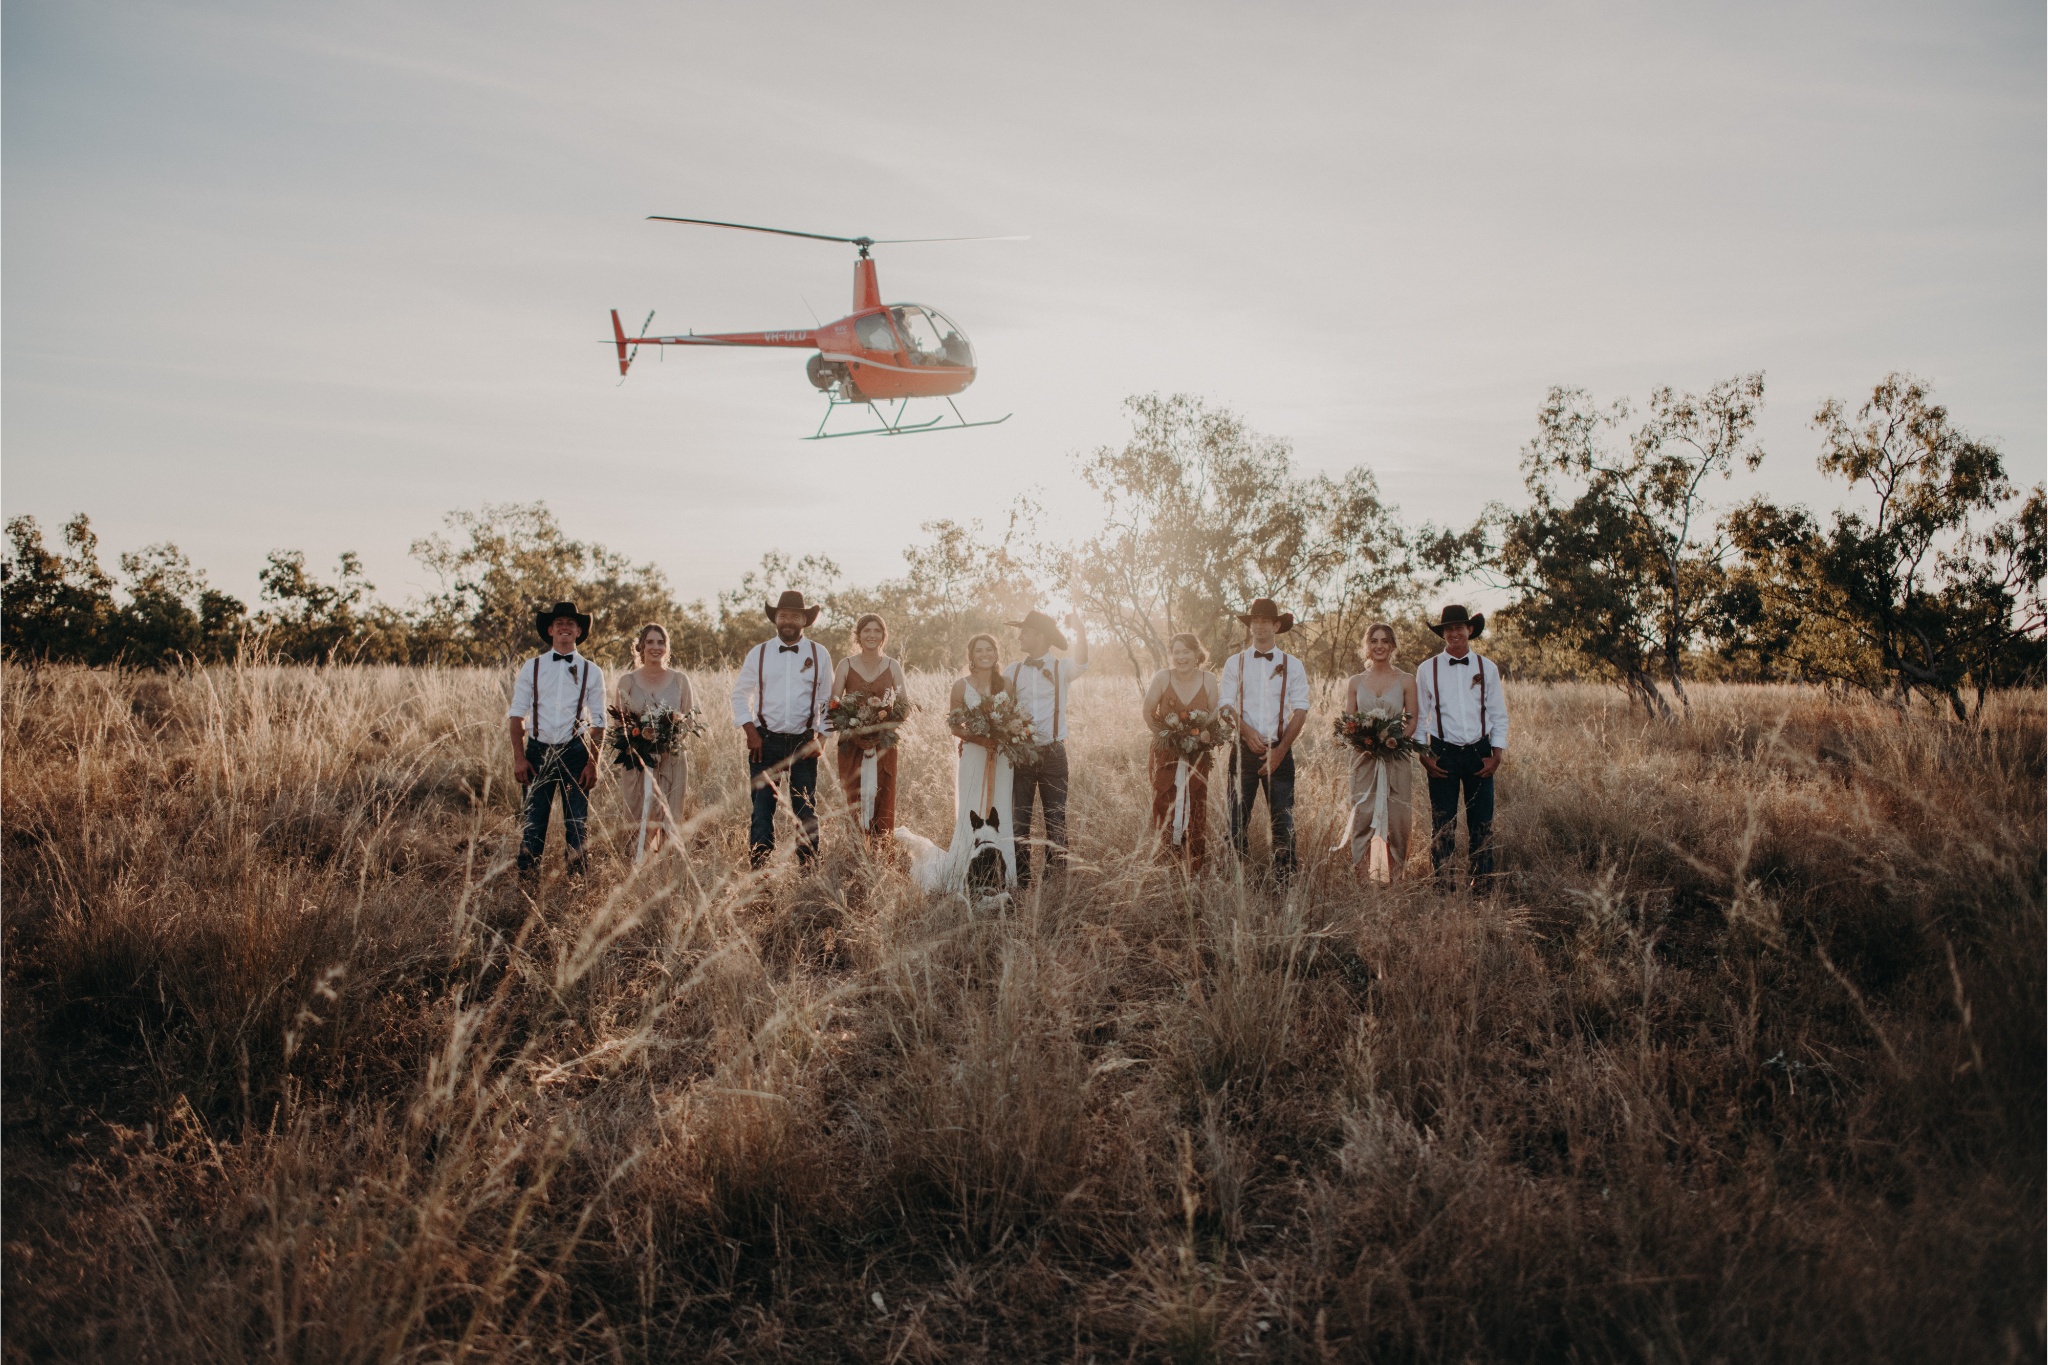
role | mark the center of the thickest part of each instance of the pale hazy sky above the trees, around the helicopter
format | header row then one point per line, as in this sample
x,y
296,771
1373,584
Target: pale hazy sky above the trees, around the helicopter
x,y
310,277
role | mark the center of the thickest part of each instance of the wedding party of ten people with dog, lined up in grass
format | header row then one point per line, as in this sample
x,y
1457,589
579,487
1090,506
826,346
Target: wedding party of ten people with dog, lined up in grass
x,y
1011,719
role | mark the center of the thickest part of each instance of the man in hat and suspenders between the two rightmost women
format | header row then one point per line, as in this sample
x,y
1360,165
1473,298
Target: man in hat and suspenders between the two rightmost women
x,y
1271,693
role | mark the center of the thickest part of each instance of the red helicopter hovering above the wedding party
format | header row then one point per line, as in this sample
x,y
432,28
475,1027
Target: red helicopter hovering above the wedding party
x,y
882,353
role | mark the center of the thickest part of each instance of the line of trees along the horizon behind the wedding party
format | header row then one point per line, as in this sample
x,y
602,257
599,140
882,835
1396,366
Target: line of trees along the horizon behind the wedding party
x,y
1619,568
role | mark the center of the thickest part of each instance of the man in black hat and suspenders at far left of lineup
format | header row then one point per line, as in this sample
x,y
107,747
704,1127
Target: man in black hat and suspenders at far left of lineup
x,y
558,732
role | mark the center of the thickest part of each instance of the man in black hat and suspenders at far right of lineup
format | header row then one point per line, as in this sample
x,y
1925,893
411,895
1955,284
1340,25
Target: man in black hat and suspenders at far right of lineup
x,y
1465,732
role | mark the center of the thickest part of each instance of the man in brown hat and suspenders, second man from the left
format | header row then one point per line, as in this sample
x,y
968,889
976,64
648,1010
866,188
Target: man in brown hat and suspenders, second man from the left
x,y
779,701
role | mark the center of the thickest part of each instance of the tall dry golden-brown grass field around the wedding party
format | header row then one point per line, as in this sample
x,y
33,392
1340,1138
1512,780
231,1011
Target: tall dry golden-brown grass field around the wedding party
x,y
1746,1063
